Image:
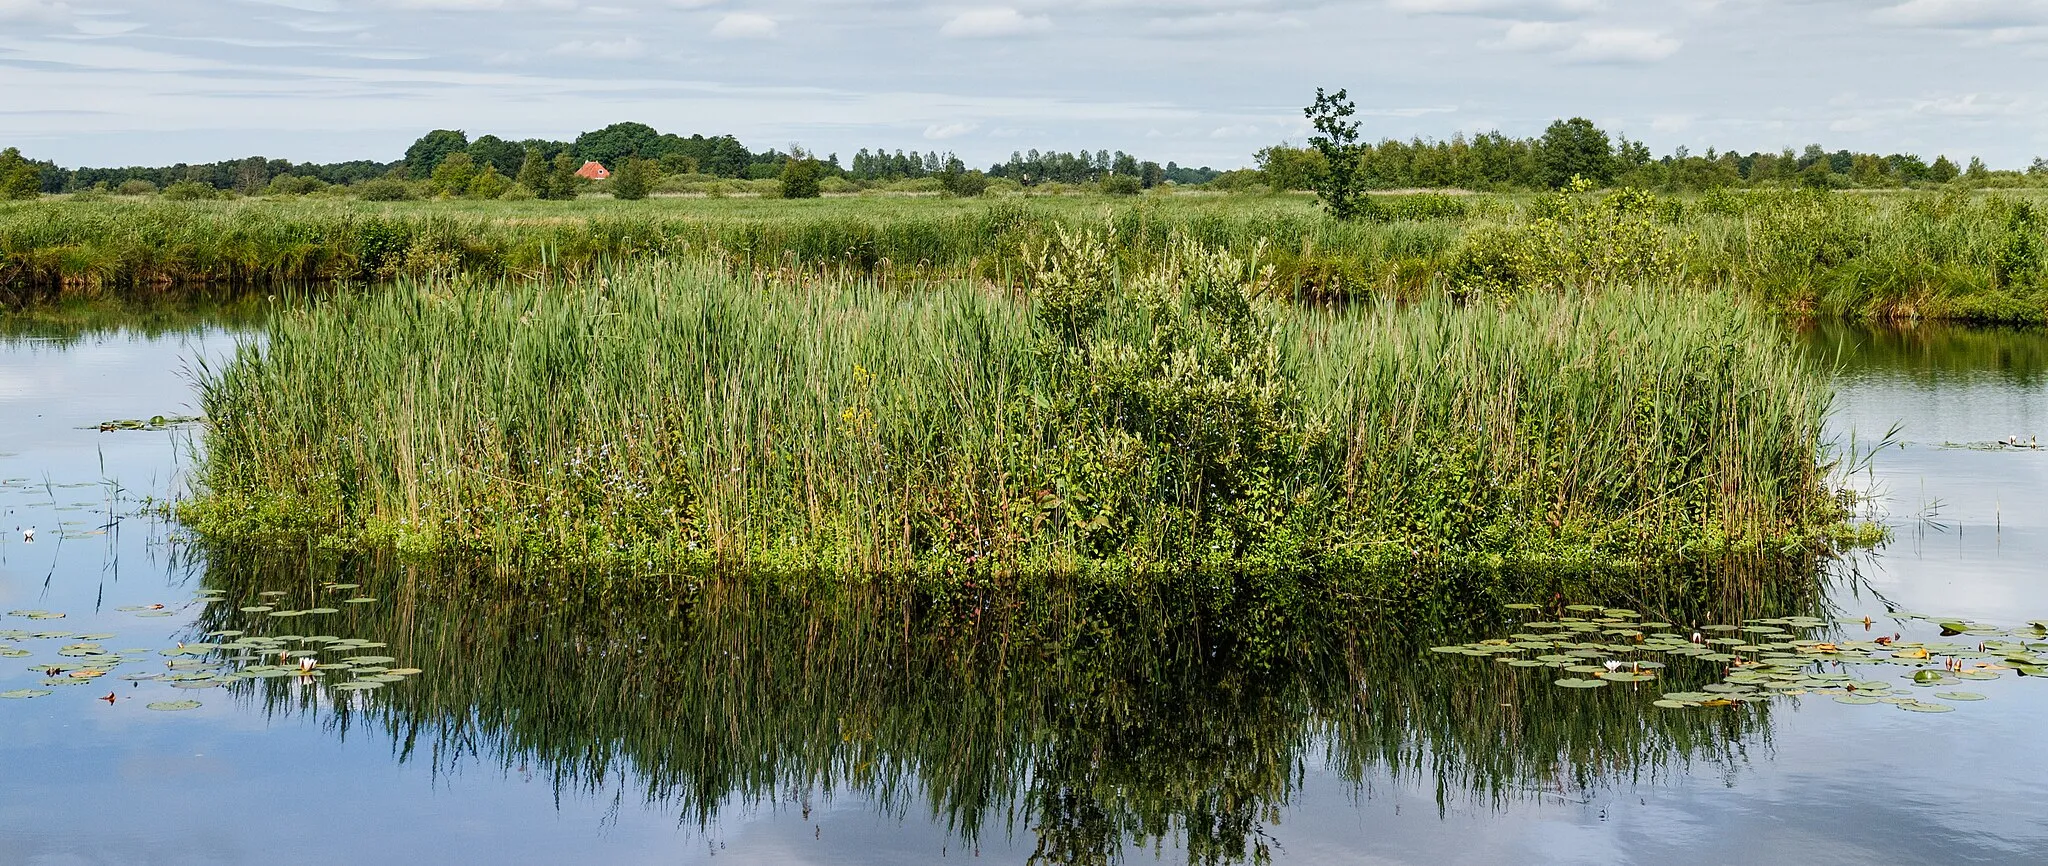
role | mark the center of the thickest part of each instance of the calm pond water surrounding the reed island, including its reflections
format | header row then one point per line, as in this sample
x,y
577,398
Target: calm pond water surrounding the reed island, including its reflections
x,y
818,728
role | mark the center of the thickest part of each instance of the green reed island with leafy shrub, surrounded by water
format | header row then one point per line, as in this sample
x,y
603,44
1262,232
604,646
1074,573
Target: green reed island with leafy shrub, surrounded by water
x,y
679,419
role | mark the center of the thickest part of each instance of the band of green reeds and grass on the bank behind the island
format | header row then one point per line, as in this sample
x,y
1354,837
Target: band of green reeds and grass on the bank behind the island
x,y
1850,255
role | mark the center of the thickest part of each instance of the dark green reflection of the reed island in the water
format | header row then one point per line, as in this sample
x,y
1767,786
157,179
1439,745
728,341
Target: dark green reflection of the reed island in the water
x,y
1093,718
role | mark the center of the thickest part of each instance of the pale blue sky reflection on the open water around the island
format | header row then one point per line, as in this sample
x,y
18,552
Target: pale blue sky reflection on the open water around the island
x,y
87,783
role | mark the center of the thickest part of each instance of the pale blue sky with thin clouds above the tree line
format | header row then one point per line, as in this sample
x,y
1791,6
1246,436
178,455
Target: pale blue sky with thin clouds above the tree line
x,y
1201,83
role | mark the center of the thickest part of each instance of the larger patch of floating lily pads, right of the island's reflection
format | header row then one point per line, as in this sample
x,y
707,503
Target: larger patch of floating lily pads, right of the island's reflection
x,y
1770,658
